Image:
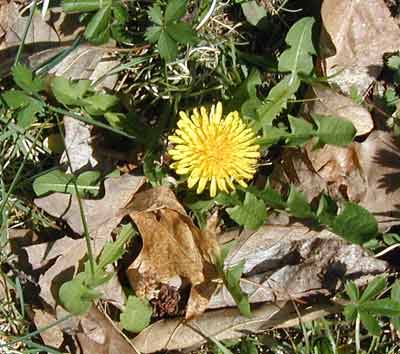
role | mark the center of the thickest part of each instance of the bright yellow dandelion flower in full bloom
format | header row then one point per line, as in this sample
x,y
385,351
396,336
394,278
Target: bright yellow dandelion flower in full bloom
x,y
214,151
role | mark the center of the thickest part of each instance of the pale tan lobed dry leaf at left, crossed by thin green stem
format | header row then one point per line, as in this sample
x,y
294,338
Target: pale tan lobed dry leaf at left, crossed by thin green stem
x,y
102,216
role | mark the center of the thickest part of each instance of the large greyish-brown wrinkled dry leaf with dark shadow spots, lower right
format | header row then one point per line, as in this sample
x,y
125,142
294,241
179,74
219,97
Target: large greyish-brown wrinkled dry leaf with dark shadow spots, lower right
x,y
289,262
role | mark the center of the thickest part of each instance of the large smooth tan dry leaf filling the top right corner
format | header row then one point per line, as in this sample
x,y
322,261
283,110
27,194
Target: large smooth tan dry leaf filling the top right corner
x,y
361,31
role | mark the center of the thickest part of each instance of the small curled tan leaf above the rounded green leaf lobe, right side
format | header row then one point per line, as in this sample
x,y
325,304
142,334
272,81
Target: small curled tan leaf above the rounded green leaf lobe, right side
x,y
329,102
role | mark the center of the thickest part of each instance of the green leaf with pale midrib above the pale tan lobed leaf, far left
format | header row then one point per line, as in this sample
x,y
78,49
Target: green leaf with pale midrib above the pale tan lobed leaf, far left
x,y
59,181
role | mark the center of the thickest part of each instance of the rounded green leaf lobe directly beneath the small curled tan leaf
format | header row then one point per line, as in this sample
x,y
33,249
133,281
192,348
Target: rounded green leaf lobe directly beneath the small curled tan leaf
x,y
334,130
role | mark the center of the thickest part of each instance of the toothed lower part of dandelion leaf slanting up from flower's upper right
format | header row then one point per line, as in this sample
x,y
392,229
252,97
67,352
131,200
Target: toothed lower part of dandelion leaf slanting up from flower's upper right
x,y
276,102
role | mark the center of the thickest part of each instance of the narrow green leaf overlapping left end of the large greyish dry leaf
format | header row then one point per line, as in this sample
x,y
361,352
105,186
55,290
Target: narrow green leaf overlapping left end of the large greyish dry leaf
x,y
232,278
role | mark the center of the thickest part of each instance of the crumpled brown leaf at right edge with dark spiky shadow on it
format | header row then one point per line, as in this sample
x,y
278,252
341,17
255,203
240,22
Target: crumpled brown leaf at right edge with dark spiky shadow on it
x,y
366,173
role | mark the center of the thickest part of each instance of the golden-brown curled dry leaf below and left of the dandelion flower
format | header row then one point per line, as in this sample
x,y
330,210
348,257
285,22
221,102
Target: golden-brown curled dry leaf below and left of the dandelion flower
x,y
172,246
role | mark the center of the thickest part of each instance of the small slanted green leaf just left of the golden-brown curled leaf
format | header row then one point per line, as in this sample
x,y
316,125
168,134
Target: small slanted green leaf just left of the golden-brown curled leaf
x,y
113,251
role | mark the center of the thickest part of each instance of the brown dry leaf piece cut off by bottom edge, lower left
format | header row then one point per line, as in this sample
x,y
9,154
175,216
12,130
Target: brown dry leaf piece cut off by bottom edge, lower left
x,y
100,336
